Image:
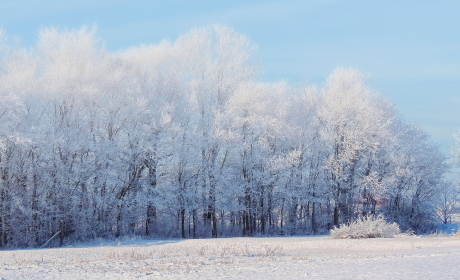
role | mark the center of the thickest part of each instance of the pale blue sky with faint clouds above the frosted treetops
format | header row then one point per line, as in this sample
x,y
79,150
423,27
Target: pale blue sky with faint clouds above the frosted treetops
x,y
409,49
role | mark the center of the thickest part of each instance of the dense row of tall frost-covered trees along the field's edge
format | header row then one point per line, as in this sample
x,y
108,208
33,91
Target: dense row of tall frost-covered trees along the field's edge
x,y
182,140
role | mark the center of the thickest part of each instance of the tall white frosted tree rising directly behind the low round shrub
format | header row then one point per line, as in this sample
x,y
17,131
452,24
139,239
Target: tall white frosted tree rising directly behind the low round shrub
x,y
352,128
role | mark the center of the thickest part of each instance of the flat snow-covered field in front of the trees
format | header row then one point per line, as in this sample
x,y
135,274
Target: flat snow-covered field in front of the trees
x,y
407,257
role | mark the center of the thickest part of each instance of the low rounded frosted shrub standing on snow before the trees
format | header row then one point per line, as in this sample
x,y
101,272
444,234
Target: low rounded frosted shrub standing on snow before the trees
x,y
366,227
